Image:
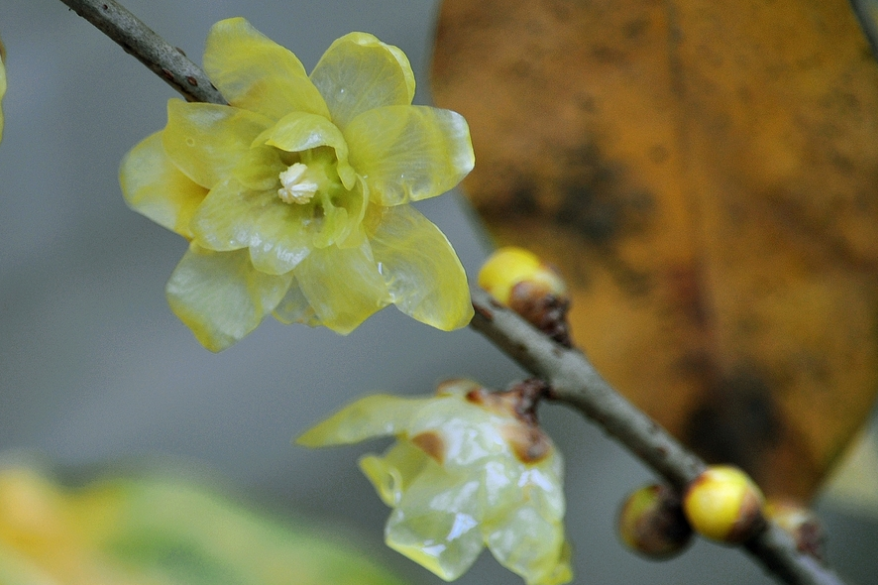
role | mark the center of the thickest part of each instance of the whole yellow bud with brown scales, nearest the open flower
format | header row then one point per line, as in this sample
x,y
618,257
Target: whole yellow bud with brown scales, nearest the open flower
x,y
518,279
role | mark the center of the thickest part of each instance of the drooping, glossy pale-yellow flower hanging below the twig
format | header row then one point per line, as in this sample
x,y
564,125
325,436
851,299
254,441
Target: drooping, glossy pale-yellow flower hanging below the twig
x,y
467,471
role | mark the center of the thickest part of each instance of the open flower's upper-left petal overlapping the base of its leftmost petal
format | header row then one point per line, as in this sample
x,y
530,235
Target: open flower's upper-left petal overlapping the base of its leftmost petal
x,y
206,141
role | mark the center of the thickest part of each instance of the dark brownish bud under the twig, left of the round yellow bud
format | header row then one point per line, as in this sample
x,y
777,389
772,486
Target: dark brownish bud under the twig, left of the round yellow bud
x,y
651,522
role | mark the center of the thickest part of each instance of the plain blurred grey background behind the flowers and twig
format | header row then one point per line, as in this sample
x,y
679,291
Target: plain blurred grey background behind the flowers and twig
x,y
95,369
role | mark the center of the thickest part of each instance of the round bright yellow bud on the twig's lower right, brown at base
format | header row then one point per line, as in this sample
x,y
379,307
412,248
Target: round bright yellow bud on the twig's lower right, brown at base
x,y
724,504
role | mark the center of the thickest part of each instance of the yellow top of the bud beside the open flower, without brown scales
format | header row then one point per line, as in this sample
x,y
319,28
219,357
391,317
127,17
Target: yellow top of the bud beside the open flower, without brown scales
x,y
510,266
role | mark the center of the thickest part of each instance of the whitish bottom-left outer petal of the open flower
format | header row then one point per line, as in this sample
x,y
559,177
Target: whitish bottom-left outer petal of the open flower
x,y
220,296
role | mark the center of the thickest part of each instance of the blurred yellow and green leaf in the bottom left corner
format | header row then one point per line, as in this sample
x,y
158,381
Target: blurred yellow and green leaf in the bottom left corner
x,y
156,531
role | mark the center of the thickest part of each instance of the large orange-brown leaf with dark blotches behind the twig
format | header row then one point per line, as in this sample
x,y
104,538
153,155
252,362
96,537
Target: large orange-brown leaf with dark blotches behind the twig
x,y
705,174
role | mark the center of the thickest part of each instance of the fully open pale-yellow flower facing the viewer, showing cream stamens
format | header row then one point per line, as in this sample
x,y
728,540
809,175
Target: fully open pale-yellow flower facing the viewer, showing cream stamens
x,y
294,196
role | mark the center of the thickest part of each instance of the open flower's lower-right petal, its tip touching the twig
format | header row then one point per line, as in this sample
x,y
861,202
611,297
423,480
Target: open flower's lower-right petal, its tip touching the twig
x,y
423,274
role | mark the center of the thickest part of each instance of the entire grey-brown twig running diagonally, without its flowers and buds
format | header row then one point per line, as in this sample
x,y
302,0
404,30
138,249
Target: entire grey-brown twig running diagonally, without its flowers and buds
x,y
573,379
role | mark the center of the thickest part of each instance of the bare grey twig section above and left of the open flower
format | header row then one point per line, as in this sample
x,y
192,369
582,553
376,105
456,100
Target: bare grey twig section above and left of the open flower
x,y
136,38
